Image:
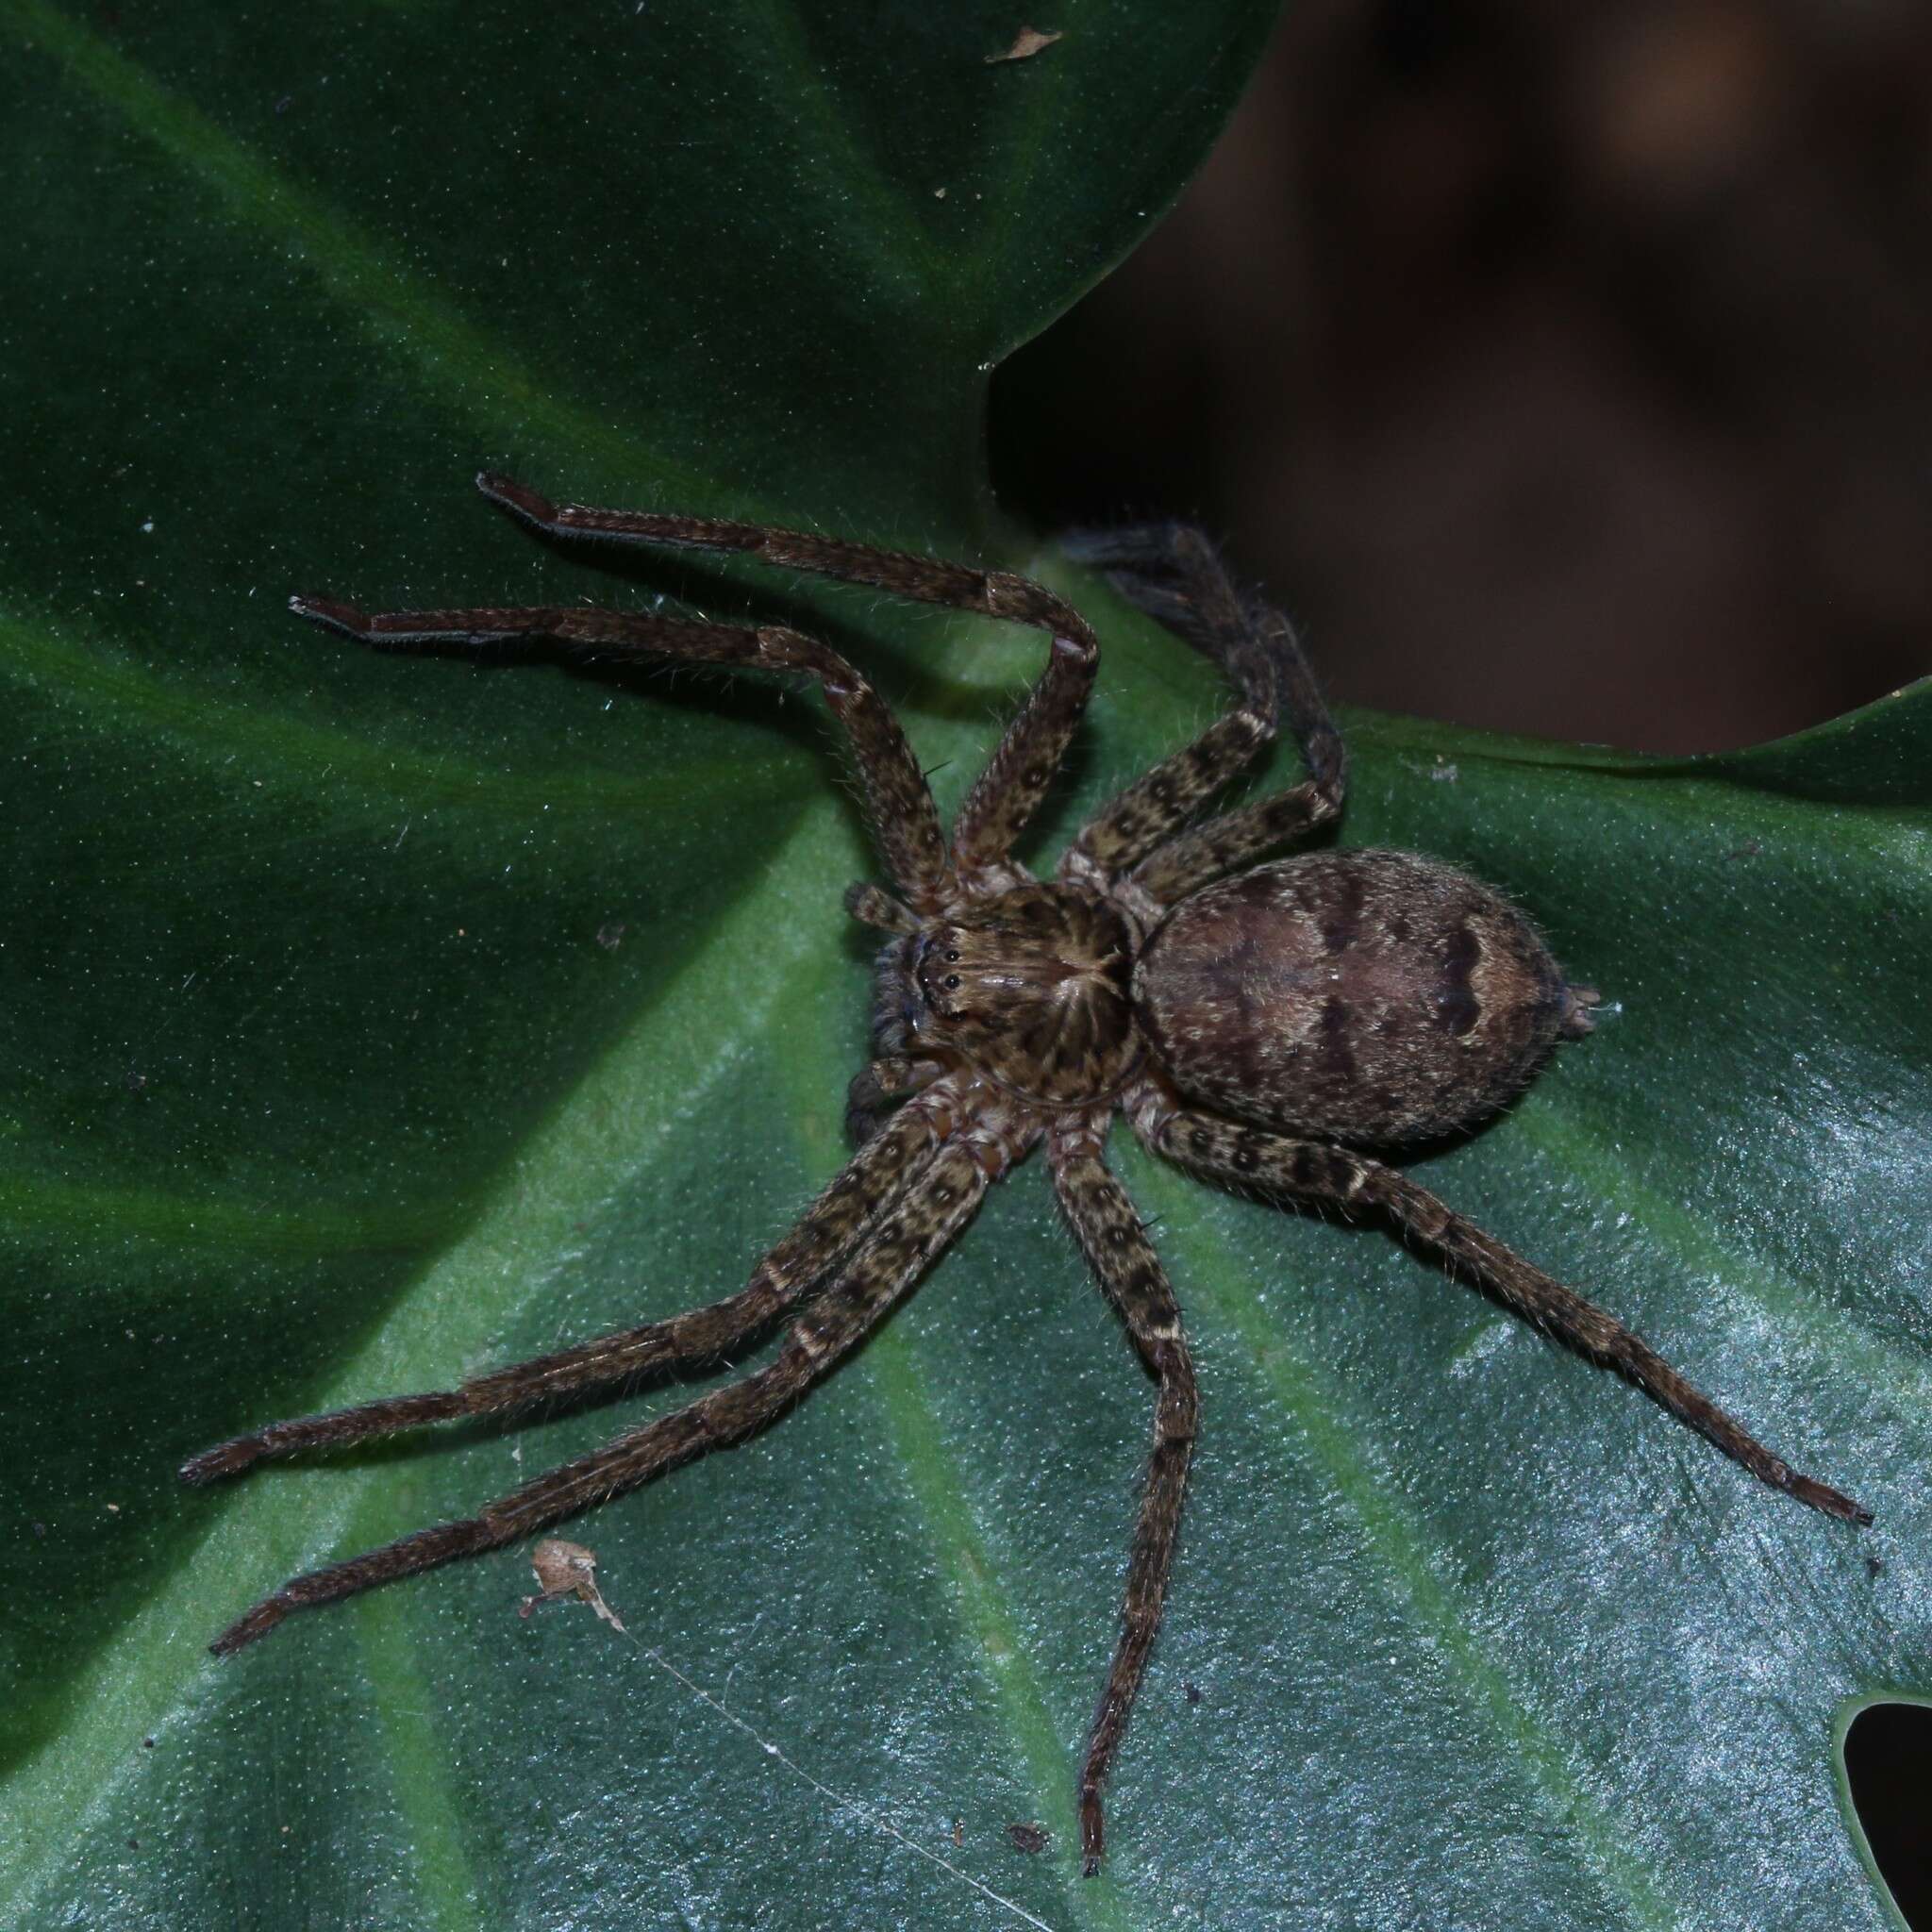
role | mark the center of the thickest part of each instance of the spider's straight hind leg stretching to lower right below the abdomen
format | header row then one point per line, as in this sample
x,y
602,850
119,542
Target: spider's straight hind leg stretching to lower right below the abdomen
x,y
1313,1170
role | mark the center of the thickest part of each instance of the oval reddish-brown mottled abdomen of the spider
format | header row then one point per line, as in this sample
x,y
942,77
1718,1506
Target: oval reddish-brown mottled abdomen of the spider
x,y
1373,998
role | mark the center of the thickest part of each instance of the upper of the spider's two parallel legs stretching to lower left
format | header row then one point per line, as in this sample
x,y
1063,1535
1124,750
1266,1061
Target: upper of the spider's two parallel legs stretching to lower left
x,y
696,1338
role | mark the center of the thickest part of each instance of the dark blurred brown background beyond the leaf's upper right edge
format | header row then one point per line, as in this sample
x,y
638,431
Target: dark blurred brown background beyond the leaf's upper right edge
x,y
1560,368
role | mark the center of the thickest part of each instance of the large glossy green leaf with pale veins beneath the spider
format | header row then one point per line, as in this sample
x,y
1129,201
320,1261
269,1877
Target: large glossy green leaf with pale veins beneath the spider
x,y
372,1021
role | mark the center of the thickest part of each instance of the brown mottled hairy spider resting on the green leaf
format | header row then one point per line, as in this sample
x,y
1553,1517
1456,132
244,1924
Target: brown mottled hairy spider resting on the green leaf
x,y
1261,1025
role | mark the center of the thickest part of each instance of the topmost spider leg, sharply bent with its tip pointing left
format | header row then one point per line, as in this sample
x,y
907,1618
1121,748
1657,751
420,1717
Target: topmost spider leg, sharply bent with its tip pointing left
x,y
1015,780
